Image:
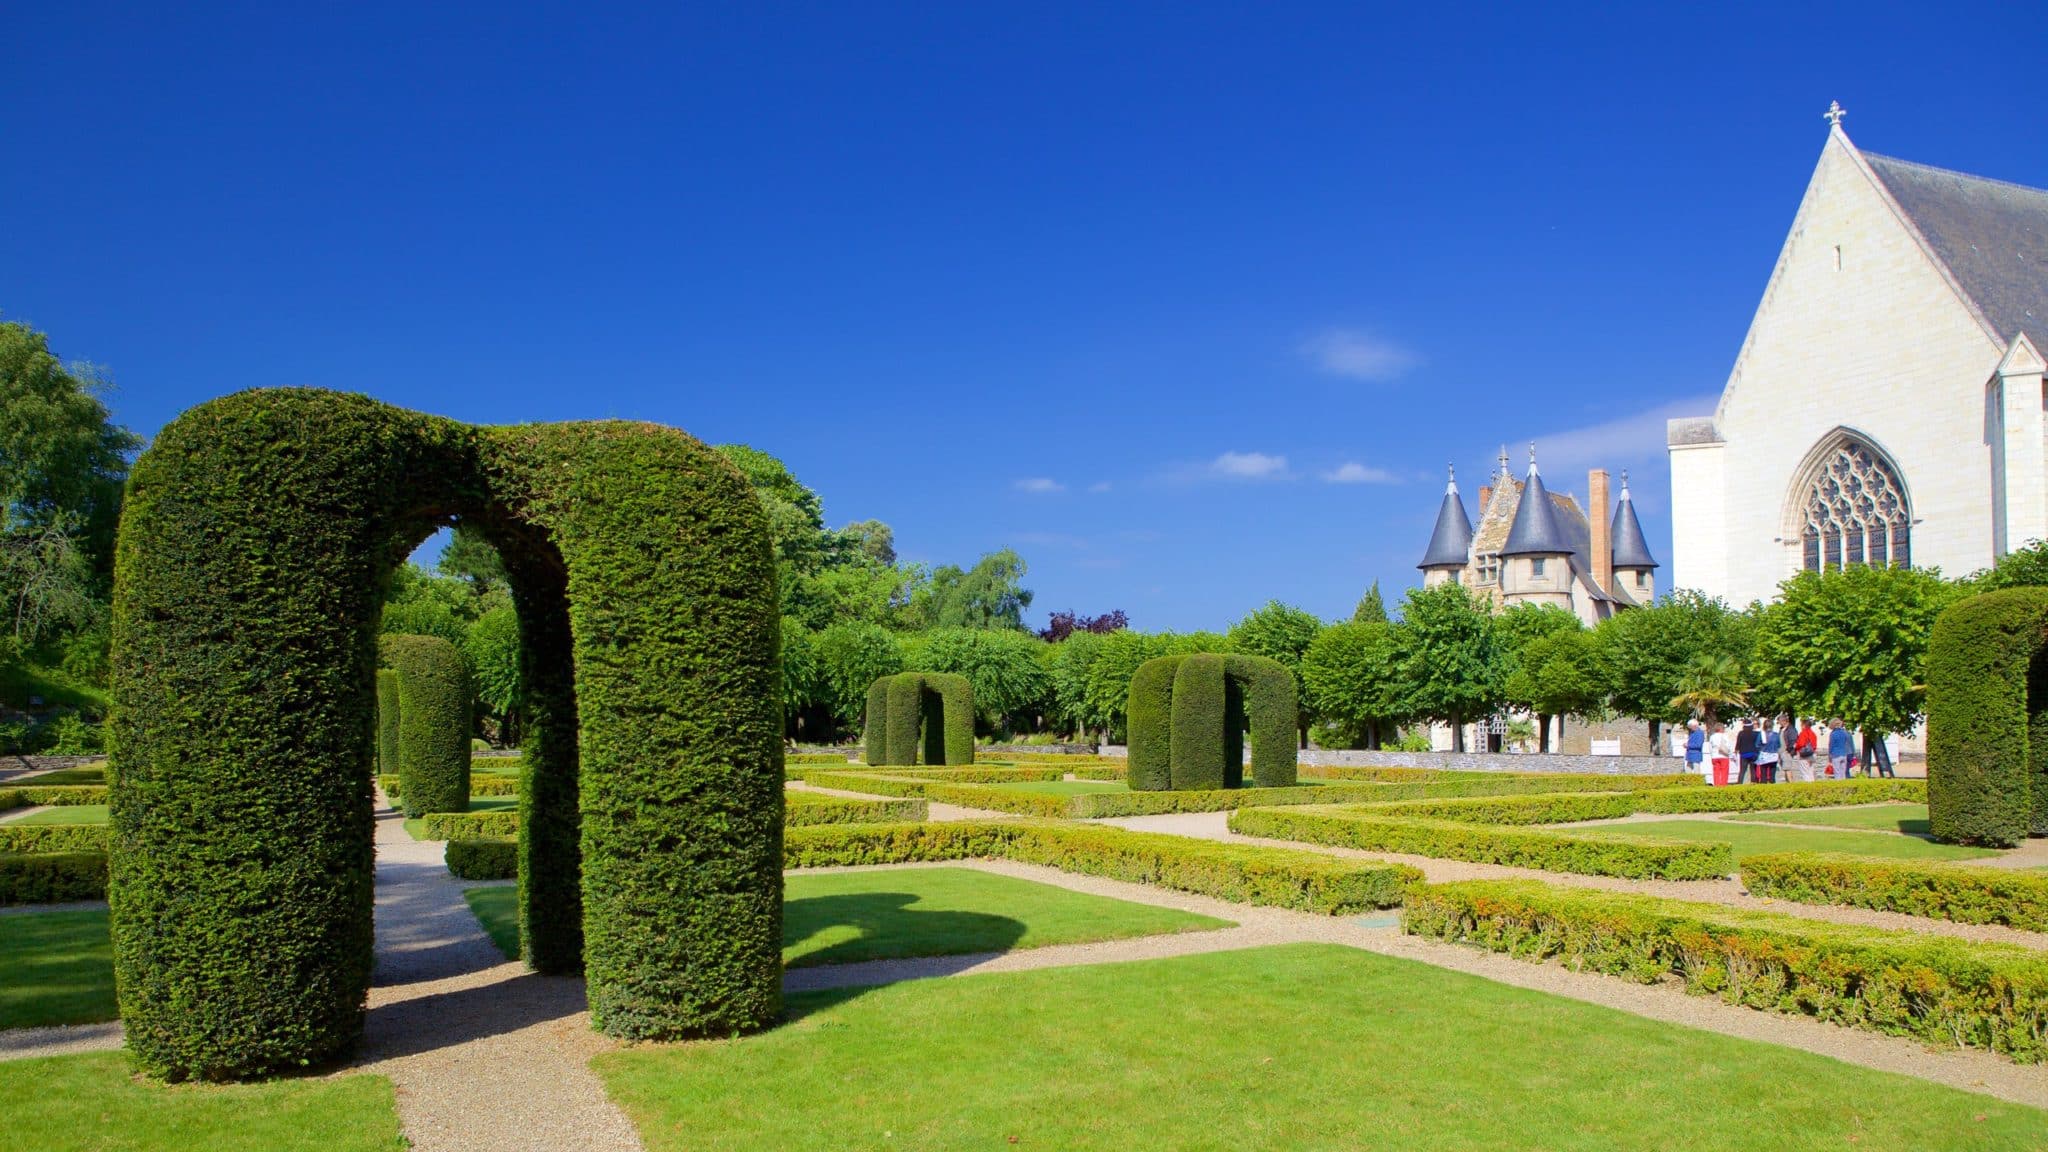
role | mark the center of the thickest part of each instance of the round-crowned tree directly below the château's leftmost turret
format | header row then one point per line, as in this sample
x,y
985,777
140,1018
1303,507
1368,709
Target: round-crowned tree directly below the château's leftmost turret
x,y
1449,657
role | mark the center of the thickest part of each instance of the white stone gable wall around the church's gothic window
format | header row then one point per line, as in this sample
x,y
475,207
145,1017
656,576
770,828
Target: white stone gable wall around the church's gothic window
x,y
1859,331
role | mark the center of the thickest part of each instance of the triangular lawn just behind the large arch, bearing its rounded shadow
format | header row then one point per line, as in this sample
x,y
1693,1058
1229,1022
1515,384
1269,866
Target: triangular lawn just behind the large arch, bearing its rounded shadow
x,y
849,917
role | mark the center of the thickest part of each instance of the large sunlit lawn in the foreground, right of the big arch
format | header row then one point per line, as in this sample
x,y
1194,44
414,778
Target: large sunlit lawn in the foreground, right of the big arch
x,y
1299,1046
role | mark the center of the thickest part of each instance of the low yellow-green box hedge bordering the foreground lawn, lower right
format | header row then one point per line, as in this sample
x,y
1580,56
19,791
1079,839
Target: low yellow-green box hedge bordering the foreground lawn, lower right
x,y
1934,989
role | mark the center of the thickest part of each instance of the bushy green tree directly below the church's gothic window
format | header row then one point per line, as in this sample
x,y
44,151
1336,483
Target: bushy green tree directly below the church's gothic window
x,y
1852,643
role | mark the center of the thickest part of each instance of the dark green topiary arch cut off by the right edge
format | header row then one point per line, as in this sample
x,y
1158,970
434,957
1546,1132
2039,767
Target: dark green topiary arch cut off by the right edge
x,y
1988,718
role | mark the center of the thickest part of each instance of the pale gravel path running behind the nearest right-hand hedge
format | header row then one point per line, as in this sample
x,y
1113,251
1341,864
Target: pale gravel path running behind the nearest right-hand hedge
x,y
1730,893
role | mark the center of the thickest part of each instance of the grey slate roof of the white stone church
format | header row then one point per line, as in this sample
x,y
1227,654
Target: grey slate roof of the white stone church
x,y
1994,237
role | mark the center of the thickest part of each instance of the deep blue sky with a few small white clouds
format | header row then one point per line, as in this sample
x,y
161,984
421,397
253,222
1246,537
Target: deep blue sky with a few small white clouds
x,y
1189,304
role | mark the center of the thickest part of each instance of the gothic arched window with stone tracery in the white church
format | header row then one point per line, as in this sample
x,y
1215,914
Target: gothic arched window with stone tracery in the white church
x,y
1854,509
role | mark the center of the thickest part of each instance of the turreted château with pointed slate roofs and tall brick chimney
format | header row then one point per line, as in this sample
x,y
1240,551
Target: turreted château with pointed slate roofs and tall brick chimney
x,y
1541,548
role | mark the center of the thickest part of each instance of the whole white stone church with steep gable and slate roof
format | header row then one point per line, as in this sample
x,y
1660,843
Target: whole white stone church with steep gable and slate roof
x,y
1887,403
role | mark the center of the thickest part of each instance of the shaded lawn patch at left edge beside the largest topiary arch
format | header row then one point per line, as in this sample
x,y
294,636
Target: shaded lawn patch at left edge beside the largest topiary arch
x,y
56,969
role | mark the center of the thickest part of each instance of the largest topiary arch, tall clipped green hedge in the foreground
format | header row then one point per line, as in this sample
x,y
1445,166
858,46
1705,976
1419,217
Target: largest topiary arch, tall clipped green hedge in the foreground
x,y
255,544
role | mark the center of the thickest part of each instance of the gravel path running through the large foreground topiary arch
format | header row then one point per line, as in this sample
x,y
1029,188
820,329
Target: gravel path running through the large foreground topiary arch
x,y
484,1055
